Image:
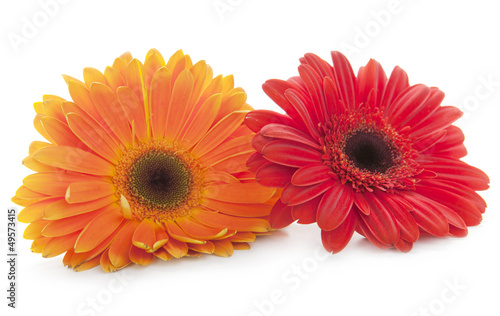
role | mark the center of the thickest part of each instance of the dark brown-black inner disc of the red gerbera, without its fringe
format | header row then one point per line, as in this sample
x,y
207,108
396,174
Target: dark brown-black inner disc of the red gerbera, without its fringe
x,y
369,151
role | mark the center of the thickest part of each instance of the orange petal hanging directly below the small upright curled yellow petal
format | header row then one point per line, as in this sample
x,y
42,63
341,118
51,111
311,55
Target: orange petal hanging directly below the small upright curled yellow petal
x,y
120,248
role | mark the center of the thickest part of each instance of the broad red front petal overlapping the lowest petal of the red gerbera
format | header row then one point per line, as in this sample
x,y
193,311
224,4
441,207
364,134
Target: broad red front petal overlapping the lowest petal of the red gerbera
x,y
334,206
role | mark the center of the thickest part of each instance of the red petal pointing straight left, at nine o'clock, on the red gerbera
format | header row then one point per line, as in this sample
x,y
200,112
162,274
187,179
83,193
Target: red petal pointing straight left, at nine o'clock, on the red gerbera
x,y
289,153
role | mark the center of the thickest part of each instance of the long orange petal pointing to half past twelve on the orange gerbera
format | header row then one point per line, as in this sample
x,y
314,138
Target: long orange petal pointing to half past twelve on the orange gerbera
x,y
178,107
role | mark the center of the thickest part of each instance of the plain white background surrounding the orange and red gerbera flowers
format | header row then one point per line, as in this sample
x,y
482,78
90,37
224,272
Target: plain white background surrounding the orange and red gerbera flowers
x,y
449,44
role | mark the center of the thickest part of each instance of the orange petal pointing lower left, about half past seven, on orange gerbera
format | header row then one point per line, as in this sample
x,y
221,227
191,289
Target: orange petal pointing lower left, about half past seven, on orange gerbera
x,y
98,230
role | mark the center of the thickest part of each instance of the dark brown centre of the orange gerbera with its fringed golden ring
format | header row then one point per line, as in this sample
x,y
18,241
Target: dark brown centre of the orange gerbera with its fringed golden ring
x,y
159,181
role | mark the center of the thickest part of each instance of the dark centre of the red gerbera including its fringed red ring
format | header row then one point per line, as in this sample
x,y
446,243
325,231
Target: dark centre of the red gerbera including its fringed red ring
x,y
363,149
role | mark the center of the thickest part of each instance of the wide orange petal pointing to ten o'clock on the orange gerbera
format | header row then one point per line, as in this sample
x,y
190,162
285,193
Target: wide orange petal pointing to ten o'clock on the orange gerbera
x,y
94,136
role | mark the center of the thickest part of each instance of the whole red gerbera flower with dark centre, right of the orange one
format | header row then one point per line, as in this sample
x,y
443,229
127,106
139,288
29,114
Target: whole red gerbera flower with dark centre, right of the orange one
x,y
366,154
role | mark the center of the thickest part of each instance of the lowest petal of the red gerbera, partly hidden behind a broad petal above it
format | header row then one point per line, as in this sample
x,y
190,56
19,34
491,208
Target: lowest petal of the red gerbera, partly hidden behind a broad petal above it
x,y
336,240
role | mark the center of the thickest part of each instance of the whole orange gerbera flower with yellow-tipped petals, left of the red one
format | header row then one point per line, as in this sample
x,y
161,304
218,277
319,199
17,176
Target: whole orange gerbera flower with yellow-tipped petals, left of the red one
x,y
148,160
